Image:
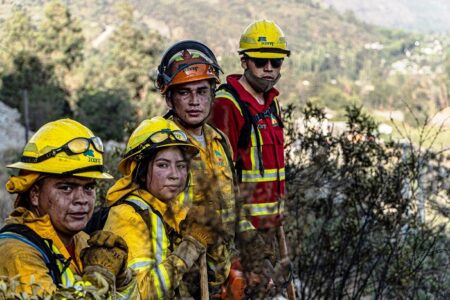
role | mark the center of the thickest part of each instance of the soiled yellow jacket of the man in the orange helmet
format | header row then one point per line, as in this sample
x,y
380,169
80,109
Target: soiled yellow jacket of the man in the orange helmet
x,y
212,181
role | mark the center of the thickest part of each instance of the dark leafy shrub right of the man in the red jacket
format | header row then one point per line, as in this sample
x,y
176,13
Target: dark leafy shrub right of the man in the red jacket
x,y
353,213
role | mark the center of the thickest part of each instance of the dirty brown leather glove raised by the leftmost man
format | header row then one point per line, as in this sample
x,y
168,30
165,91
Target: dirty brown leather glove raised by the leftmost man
x,y
109,251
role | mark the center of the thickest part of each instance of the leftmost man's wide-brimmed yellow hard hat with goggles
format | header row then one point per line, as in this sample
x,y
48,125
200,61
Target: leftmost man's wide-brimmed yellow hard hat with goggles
x,y
64,147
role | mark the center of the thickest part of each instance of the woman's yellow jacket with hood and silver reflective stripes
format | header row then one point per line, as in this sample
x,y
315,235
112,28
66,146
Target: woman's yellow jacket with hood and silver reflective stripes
x,y
150,246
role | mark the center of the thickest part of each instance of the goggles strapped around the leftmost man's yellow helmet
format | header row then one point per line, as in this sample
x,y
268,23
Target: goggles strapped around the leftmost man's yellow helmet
x,y
73,147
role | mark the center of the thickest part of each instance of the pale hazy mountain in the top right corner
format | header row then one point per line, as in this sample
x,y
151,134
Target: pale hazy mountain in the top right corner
x,y
411,15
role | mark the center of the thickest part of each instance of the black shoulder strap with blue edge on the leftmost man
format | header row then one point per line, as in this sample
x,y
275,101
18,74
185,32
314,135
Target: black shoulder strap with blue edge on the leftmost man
x,y
27,235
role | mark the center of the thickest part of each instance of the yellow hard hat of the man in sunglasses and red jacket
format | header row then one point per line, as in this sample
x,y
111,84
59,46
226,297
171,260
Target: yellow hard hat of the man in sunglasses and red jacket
x,y
263,39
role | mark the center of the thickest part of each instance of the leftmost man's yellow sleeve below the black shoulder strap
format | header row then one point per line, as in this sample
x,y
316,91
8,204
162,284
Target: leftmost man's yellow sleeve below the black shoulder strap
x,y
17,258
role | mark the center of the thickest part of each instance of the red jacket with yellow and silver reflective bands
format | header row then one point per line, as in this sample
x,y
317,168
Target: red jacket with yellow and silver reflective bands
x,y
265,207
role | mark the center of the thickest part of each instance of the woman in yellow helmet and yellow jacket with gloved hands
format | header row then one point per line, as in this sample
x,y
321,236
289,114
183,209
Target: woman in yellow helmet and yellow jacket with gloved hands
x,y
148,208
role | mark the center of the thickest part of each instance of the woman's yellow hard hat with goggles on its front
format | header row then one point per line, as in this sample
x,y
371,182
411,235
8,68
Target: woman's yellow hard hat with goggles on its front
x,y
153,134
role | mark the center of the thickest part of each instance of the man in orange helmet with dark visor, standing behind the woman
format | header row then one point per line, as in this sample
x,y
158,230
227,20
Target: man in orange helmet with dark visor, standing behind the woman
x,y
187,77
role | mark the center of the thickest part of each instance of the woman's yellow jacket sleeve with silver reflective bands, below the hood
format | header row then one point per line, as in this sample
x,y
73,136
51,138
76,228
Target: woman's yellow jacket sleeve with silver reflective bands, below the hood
x,y
158,271
